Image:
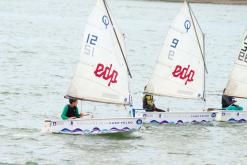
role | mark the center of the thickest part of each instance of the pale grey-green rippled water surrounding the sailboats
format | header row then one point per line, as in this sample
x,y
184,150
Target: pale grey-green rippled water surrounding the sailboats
x,y
40,45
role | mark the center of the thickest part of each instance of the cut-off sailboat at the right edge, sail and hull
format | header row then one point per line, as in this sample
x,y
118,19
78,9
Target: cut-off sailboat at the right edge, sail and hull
x,y
237,85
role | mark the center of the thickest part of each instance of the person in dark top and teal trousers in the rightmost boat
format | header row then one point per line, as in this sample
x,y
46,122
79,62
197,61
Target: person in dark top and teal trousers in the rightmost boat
x,y
228,103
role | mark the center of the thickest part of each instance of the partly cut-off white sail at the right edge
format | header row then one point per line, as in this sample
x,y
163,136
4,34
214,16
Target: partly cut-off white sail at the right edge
x,y
237,83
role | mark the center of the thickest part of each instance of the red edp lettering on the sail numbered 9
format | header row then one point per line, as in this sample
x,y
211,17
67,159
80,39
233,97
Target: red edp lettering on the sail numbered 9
x,y
184,73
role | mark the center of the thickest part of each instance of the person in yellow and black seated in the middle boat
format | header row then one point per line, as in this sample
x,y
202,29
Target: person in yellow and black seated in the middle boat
x,y
148,104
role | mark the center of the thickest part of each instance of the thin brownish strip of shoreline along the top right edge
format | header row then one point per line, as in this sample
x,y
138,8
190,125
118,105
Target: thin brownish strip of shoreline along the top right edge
x,y
235,2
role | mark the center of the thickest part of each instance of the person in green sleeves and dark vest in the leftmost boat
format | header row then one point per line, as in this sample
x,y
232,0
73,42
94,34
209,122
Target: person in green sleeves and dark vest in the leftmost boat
x,y
70,111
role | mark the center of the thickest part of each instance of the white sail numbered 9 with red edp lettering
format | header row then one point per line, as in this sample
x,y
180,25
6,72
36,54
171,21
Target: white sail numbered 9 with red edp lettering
x,y
180,68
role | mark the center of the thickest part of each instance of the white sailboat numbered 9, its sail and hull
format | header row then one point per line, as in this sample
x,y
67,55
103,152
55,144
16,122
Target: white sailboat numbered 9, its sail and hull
x,y
180,70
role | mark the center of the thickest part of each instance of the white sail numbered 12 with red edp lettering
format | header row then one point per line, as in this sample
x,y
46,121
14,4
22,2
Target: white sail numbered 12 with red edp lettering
x,y
102,72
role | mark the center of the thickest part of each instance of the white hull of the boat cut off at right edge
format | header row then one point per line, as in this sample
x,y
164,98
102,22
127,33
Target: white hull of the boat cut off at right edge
x,y
230,116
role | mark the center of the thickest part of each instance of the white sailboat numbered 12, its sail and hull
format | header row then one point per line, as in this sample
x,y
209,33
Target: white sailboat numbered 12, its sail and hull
x,y
102,75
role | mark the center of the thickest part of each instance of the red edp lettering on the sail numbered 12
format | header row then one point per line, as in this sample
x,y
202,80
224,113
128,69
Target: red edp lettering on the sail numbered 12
x,y
106,73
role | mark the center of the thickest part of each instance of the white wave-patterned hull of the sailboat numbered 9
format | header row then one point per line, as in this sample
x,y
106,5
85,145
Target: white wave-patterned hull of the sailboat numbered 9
x,y
176,117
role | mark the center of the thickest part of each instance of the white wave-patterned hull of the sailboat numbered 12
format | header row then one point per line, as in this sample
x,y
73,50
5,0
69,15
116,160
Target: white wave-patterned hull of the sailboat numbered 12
x,y
94,126
